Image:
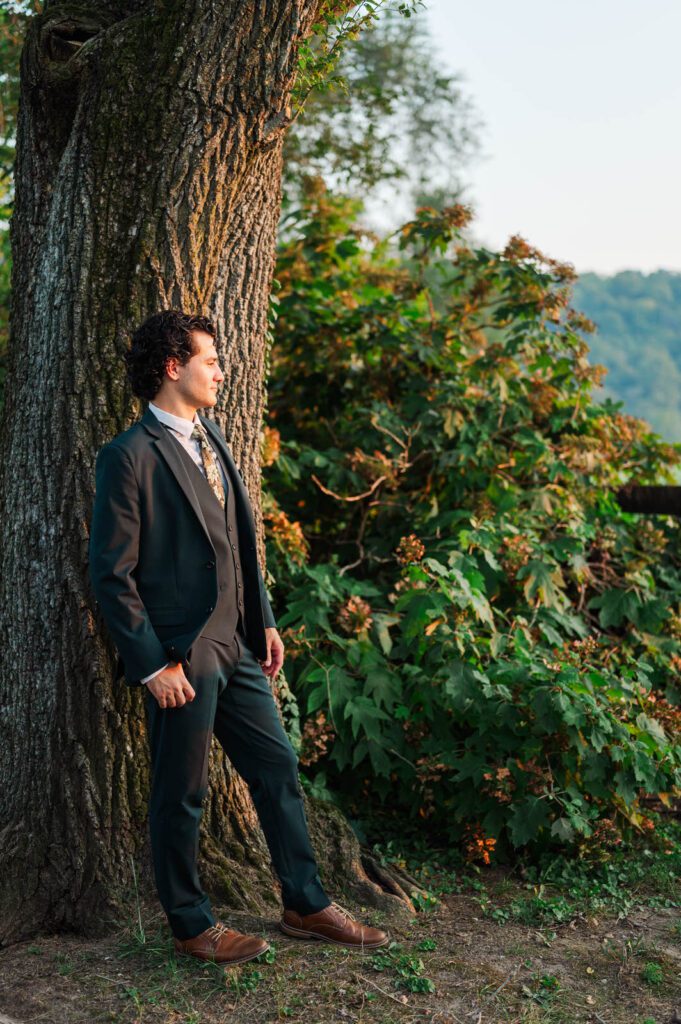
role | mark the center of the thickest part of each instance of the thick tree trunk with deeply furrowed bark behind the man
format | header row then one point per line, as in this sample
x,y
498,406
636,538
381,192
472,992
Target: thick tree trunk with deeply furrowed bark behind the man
x,y
148,177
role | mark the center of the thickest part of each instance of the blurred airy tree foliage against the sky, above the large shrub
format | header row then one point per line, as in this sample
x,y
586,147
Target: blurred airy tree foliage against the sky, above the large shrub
x,y
372,107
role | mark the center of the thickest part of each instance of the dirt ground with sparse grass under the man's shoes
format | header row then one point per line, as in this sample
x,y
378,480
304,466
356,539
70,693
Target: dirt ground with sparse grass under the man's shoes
x,y
454,964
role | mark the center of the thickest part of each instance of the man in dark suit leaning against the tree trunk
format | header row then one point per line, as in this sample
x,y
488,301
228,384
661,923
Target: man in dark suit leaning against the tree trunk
x,y
175,570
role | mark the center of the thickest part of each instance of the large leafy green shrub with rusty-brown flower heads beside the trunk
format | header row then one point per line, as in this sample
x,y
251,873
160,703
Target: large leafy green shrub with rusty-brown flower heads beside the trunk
x,y
478,636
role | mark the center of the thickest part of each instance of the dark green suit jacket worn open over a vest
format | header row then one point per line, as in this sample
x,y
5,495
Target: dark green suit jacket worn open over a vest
x,y
151,560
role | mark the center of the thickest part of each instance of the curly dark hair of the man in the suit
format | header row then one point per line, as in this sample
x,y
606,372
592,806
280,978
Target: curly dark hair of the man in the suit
x,y
161,336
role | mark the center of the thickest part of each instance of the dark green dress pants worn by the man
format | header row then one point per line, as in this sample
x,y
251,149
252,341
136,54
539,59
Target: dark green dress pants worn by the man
x,y
235,702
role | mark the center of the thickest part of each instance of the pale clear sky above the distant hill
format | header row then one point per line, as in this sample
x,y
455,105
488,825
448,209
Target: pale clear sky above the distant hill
x,y
581,104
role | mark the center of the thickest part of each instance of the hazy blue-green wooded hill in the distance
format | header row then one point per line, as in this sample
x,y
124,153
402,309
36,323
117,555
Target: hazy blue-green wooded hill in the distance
x,y
640,340
